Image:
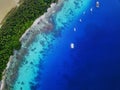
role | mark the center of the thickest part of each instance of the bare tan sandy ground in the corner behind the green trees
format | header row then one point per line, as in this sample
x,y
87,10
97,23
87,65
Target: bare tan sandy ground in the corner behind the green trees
x,y
6,6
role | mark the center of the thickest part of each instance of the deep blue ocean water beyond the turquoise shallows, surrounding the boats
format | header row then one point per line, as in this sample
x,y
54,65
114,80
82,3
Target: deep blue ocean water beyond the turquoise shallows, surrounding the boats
x,y
94,62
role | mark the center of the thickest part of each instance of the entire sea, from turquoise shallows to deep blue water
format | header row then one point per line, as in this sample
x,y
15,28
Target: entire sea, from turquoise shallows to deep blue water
x,y
81,52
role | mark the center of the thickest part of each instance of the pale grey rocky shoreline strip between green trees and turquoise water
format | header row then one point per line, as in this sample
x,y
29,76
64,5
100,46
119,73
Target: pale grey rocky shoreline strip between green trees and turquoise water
x,y
15,59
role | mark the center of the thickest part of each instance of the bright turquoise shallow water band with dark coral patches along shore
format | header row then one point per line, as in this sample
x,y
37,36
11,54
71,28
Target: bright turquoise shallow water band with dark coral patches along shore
x,y
43,43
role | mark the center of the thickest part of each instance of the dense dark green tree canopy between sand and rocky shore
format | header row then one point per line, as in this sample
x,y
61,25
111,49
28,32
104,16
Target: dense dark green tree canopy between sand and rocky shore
x,y
15,25
